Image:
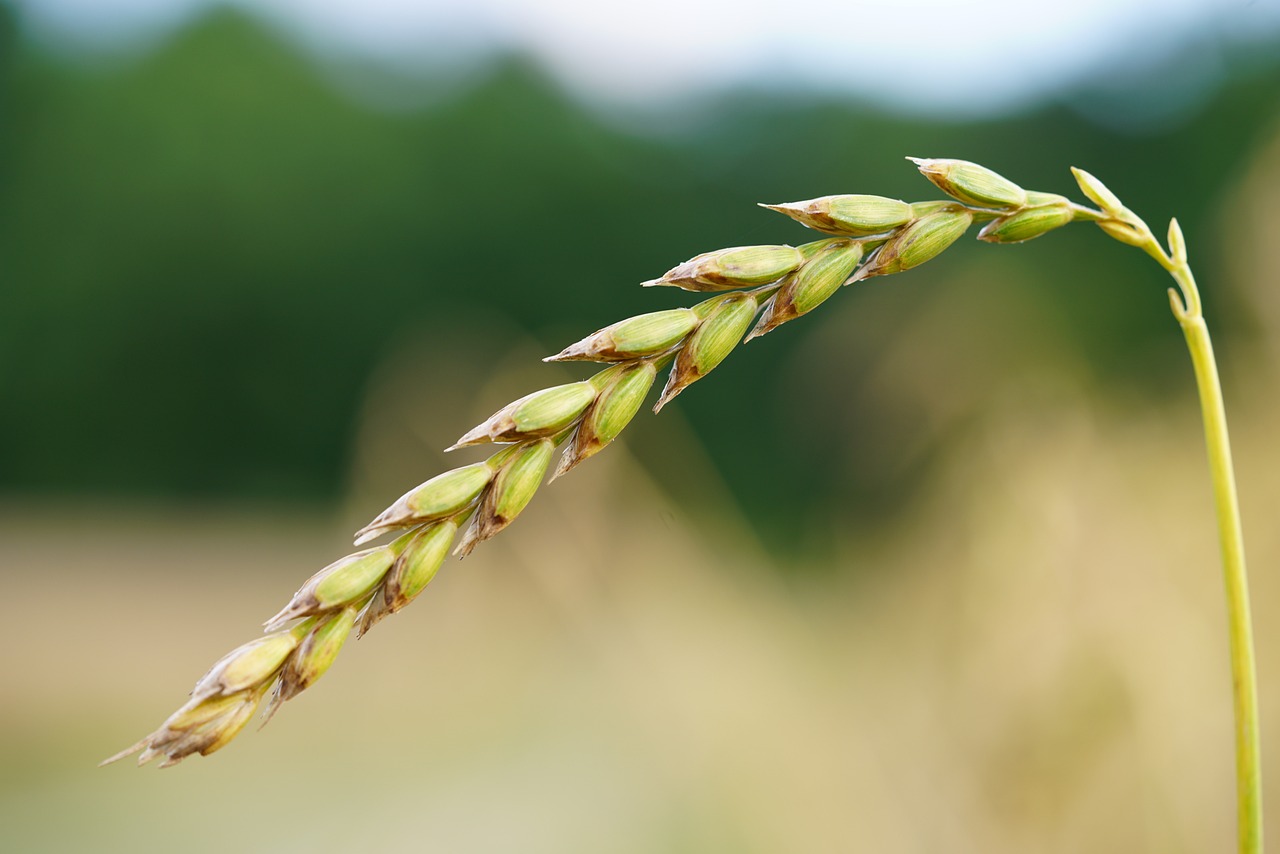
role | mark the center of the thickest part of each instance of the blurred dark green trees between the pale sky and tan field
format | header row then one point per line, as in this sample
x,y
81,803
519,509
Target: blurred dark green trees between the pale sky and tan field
x,y
208,248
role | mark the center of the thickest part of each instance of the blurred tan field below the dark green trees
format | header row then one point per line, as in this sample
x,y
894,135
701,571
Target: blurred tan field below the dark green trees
x,y
1037,663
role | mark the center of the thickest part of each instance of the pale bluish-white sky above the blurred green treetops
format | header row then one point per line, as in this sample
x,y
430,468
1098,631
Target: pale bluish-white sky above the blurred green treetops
x,y
966,57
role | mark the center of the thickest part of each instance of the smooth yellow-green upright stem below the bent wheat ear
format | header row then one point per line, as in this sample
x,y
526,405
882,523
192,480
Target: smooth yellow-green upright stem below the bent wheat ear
x,y
1249,766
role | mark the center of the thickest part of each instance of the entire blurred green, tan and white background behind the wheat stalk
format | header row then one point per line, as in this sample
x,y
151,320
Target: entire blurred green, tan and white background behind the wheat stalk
x,y
932,570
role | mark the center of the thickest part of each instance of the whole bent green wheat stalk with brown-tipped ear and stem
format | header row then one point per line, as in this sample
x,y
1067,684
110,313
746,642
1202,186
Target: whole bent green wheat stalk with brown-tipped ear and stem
x,y
868,236
